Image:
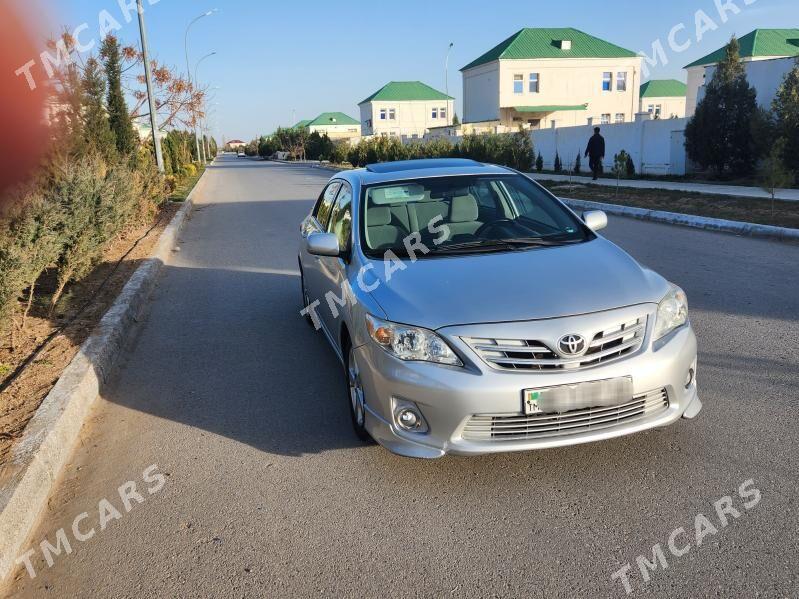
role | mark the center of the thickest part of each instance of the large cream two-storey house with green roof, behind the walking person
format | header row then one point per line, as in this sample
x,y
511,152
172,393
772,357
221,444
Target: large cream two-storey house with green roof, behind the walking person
x,y
544,77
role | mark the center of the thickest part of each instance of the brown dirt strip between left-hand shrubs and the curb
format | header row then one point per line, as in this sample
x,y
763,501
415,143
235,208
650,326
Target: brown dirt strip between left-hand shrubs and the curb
x,y
19,401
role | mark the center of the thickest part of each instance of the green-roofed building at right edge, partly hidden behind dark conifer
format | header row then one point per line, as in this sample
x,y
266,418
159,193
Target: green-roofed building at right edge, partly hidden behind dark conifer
x,y
757,45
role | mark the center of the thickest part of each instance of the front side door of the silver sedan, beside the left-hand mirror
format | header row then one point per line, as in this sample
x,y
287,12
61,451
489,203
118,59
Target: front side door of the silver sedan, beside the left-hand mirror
x,y
333,270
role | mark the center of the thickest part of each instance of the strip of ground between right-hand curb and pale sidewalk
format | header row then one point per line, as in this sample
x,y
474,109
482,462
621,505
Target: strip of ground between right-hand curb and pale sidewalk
x,y
752,210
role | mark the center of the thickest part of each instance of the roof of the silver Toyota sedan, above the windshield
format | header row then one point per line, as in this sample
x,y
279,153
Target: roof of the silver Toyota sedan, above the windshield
x,y
416,169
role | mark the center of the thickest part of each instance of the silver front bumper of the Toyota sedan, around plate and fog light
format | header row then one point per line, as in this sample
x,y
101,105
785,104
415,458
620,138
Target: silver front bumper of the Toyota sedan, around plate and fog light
x,y
448,397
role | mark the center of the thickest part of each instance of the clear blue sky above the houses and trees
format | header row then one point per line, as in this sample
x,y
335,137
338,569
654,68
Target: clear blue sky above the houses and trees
x,y
279,60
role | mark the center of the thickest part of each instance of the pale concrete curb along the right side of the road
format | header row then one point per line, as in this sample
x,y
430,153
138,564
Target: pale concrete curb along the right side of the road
x,y
686,220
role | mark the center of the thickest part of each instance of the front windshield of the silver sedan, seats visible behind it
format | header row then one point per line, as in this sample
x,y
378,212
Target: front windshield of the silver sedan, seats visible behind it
x,y
465,214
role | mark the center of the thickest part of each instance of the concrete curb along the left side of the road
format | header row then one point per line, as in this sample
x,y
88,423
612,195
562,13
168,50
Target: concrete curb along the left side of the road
x,y
49,438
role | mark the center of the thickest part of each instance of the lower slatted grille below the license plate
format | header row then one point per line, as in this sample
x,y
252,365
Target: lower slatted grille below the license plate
x,y
519,427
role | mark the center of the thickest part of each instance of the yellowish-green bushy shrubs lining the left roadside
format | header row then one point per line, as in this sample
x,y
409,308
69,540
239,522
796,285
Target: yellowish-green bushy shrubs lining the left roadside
x,y
66,219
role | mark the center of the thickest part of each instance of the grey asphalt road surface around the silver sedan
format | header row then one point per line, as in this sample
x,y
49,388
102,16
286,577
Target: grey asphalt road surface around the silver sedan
x,y
268,493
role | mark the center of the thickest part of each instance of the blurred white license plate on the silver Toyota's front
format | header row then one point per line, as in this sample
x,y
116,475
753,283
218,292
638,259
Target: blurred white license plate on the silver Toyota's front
x,y
592,394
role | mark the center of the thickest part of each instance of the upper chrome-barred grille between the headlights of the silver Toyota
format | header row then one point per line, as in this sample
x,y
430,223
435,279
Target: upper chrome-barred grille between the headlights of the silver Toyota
x,y
524,354
